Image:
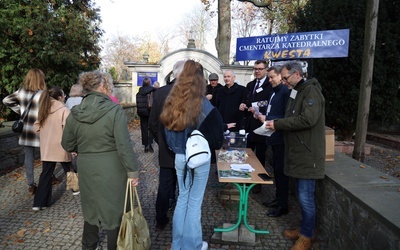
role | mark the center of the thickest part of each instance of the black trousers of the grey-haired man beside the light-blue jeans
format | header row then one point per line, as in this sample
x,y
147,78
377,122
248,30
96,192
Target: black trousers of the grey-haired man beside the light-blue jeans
x,y
166,191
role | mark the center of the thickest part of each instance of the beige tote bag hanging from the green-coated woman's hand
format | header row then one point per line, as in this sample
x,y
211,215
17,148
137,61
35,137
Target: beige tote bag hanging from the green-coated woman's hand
x,y
134,232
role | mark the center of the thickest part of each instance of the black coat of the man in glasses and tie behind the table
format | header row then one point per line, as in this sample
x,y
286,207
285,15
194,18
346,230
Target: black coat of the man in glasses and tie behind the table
x,y
249,122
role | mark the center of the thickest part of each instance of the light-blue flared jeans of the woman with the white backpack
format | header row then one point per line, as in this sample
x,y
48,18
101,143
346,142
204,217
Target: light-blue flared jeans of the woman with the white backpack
x,y
186,229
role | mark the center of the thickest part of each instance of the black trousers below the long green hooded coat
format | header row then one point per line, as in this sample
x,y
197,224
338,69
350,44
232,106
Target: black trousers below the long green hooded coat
x,y
90,237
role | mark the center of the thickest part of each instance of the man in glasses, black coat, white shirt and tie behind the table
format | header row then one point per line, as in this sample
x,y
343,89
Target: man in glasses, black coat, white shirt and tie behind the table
x,y
255,101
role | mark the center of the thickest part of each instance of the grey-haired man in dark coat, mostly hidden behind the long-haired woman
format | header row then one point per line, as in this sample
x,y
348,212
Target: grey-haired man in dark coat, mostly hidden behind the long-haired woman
x,y
166,158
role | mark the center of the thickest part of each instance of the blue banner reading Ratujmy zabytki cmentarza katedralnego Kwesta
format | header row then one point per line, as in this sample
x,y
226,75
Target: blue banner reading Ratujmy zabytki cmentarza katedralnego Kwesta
x,y
304,45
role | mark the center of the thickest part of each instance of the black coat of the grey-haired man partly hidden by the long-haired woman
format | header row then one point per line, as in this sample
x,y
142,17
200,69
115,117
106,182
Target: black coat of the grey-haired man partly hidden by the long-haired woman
x,y
166,157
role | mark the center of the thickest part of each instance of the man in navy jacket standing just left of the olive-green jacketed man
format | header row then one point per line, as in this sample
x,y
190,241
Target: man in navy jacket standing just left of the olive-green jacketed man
x,y
275,110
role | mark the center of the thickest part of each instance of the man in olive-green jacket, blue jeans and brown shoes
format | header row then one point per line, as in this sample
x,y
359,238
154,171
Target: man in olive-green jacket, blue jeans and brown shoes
x,y
304,134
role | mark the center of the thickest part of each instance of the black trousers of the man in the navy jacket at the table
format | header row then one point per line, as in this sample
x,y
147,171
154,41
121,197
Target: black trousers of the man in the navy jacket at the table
x,y
281,180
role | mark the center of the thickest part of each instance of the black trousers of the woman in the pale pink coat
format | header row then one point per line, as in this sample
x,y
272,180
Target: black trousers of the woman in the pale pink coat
x,y
44,189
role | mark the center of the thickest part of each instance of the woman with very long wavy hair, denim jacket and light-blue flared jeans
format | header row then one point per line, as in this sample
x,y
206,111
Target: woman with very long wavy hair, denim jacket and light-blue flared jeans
x,y
186,109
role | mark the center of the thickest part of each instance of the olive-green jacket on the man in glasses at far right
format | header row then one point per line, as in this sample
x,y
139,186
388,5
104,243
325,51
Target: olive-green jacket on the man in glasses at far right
x,y
304,131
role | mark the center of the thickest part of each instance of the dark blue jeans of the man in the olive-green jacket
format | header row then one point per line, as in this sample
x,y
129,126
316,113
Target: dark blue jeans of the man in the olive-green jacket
x,y
305,192
